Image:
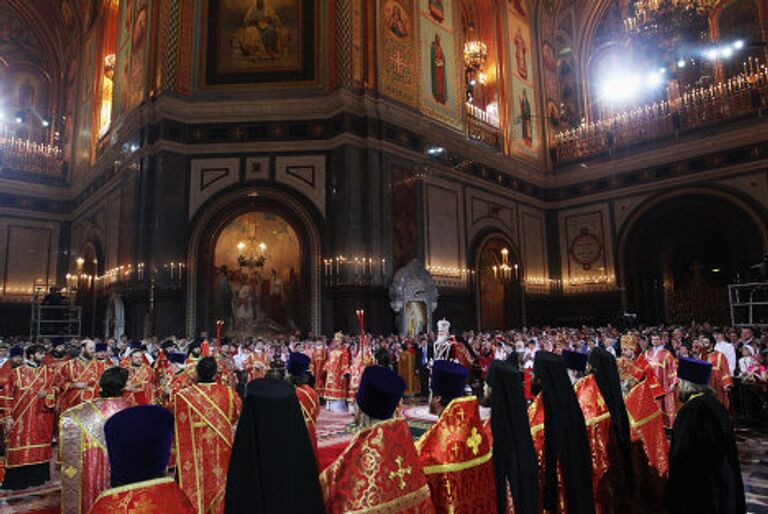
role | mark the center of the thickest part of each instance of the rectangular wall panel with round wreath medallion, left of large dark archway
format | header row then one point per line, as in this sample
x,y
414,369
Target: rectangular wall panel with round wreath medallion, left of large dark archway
x,y
587,262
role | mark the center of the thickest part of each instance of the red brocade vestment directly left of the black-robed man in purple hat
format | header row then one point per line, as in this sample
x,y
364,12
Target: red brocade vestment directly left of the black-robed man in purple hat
x,y
650,448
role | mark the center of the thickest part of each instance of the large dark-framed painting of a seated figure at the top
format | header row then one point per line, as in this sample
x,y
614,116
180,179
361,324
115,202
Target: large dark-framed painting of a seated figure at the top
x,y
251,41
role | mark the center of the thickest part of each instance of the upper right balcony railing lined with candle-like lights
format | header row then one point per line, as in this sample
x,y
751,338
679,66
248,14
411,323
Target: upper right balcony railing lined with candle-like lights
x,y
742,95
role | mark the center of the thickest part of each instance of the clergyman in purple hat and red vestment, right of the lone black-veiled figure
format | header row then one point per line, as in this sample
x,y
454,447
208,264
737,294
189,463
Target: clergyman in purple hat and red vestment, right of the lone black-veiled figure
x,y
379,471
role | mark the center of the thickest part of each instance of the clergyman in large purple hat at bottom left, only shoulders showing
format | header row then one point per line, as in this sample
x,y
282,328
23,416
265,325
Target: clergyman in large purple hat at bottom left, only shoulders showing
x,y
138,445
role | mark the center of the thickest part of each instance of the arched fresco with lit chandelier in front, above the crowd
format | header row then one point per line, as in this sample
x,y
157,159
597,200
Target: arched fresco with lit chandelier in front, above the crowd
x,y
260,293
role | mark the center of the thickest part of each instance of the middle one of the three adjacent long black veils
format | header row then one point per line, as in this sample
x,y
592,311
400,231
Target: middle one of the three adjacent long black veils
x,y
565,437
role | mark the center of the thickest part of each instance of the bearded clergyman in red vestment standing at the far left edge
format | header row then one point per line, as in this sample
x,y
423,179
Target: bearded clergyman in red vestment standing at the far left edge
x,y
29,401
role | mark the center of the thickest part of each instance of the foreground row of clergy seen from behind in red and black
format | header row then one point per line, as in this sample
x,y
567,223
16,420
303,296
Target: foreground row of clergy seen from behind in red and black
x,y
578,449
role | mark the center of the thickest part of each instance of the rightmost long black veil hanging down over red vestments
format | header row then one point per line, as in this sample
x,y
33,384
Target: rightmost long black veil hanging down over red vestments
x,y
607,377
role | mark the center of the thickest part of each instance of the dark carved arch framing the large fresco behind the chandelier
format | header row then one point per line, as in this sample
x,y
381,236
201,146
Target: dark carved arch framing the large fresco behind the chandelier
x,y
218,212
